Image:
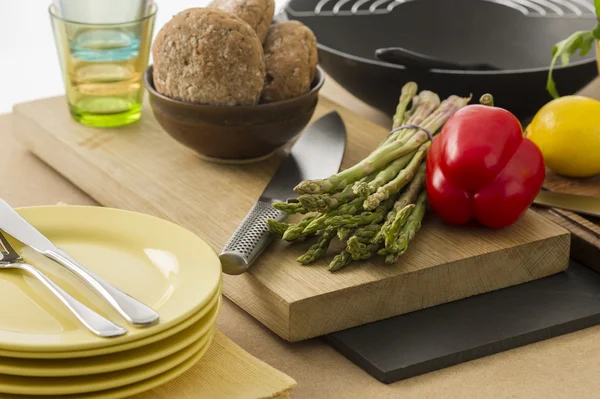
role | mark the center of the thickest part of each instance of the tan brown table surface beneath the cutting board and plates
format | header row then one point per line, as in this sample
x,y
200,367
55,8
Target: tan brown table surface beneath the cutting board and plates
x,y
562,367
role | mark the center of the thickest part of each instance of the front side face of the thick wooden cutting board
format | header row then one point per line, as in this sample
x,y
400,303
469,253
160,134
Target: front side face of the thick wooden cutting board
x,y
328,303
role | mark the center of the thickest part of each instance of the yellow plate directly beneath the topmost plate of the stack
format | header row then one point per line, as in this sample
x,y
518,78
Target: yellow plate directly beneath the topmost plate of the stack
x,y
161,336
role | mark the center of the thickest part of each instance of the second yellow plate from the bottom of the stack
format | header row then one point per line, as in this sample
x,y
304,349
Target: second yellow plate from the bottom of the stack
x,y
59,386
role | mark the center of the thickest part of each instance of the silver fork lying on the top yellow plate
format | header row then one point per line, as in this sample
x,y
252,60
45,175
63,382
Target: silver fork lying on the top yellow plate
x,y
97,324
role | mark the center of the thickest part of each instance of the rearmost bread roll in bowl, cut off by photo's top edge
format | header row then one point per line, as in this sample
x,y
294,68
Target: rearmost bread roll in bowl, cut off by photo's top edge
x,y
257,13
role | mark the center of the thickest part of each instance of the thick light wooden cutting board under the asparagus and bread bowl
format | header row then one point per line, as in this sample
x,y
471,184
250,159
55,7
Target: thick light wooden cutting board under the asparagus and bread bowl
x,y
140,168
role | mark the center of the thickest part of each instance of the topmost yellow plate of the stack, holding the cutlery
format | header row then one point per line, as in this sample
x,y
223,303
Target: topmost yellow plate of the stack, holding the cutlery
x,y
160,263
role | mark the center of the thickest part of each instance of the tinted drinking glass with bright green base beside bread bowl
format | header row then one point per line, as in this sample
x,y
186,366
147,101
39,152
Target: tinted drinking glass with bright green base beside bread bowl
x,y
103,53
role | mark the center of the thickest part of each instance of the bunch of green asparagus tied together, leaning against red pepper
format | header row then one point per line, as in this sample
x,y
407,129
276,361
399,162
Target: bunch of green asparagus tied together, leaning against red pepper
x,y
377,205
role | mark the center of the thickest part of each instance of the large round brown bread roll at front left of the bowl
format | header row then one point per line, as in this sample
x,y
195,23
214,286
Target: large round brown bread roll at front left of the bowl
x,y
208,56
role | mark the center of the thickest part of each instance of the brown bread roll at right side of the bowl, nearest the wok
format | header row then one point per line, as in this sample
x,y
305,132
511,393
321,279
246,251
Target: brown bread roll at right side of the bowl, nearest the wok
x,y
290,59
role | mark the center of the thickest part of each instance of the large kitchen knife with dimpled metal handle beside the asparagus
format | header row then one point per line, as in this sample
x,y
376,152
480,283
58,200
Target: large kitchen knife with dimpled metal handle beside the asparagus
x,y
316,154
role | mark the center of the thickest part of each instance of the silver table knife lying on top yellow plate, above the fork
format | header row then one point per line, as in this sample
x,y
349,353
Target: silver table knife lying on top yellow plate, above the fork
x,y
130,308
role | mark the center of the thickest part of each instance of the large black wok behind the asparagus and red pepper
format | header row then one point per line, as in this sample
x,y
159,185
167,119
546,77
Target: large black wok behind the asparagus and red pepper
x,y
515,36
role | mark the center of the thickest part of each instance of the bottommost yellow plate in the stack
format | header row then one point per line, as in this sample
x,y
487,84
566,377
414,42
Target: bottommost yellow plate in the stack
x,y
133,389
